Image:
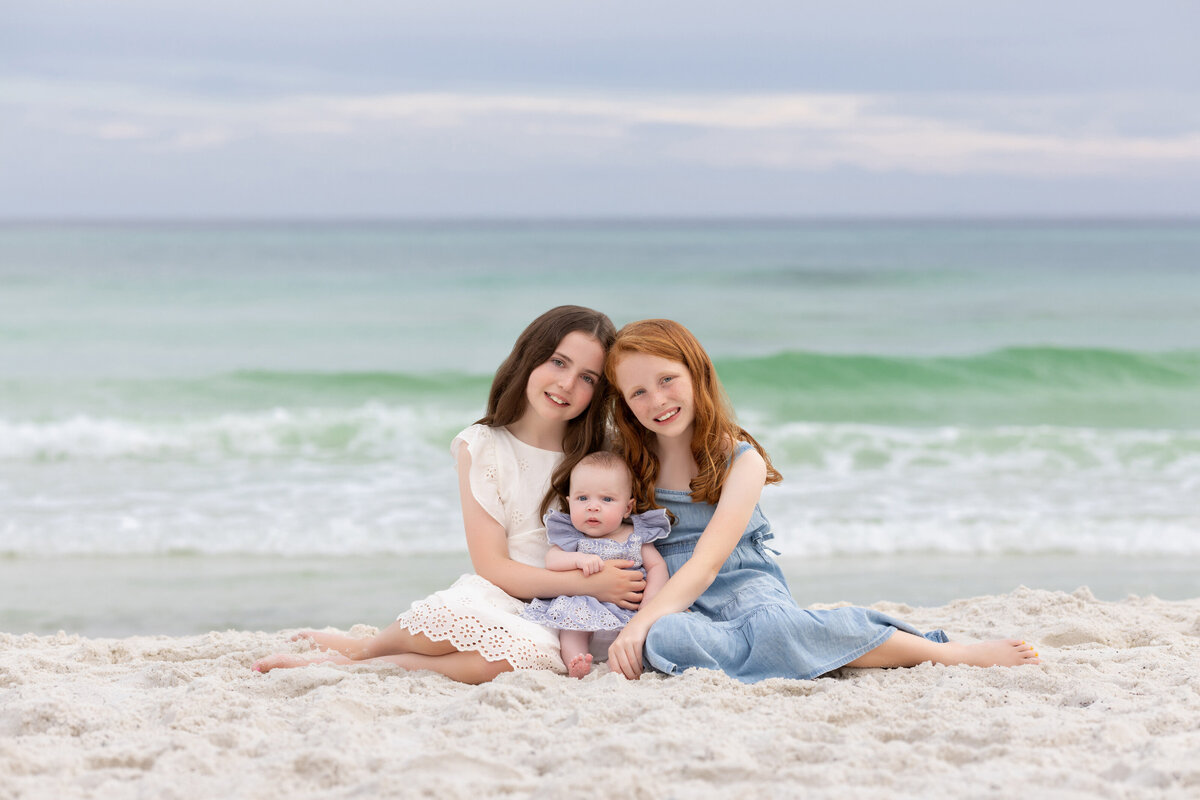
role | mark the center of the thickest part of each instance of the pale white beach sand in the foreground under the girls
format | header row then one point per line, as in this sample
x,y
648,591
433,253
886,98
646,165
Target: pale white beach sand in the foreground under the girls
x,y
1113,713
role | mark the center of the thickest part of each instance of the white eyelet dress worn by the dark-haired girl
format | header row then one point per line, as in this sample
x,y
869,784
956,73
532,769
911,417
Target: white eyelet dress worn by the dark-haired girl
x,y
509,480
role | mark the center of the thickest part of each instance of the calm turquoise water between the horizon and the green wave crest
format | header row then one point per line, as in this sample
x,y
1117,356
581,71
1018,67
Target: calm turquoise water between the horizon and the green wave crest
x,y
206,300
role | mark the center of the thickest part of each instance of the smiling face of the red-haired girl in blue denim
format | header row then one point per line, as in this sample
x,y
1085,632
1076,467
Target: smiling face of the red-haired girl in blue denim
x,y
659,393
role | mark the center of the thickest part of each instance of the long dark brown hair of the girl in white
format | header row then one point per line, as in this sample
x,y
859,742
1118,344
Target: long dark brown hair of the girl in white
x,y
537,344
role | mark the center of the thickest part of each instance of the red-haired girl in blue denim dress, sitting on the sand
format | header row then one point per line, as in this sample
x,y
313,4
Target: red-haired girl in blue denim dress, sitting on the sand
x,y
680,437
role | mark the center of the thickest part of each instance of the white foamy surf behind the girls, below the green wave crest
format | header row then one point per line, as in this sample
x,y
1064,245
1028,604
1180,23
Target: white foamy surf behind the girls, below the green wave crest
x,y
379,479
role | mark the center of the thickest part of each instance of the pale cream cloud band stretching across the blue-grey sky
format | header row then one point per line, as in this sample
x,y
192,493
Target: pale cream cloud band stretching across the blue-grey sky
x,y
933,135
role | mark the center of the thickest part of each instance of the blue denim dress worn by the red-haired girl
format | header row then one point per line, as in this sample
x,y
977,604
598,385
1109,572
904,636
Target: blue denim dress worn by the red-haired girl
x,y
747,624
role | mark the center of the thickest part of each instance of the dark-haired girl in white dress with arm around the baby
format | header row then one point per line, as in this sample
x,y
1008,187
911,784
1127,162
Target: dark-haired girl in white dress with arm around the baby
x,y
545,412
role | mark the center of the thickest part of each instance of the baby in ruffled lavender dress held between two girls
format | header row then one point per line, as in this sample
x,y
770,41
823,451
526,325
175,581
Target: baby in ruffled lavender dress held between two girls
x,y
602,498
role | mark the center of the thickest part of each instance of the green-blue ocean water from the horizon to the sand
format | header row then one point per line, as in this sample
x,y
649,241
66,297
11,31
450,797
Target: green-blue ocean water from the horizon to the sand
x,y
994,398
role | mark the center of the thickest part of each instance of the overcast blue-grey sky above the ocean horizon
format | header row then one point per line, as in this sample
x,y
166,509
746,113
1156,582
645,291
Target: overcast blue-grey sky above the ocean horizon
x,y
565,109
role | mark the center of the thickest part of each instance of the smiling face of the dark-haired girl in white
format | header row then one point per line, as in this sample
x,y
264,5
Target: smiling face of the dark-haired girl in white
x,y
562,388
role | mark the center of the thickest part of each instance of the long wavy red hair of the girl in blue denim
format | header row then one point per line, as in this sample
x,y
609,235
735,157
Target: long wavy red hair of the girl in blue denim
x,y
716,429
